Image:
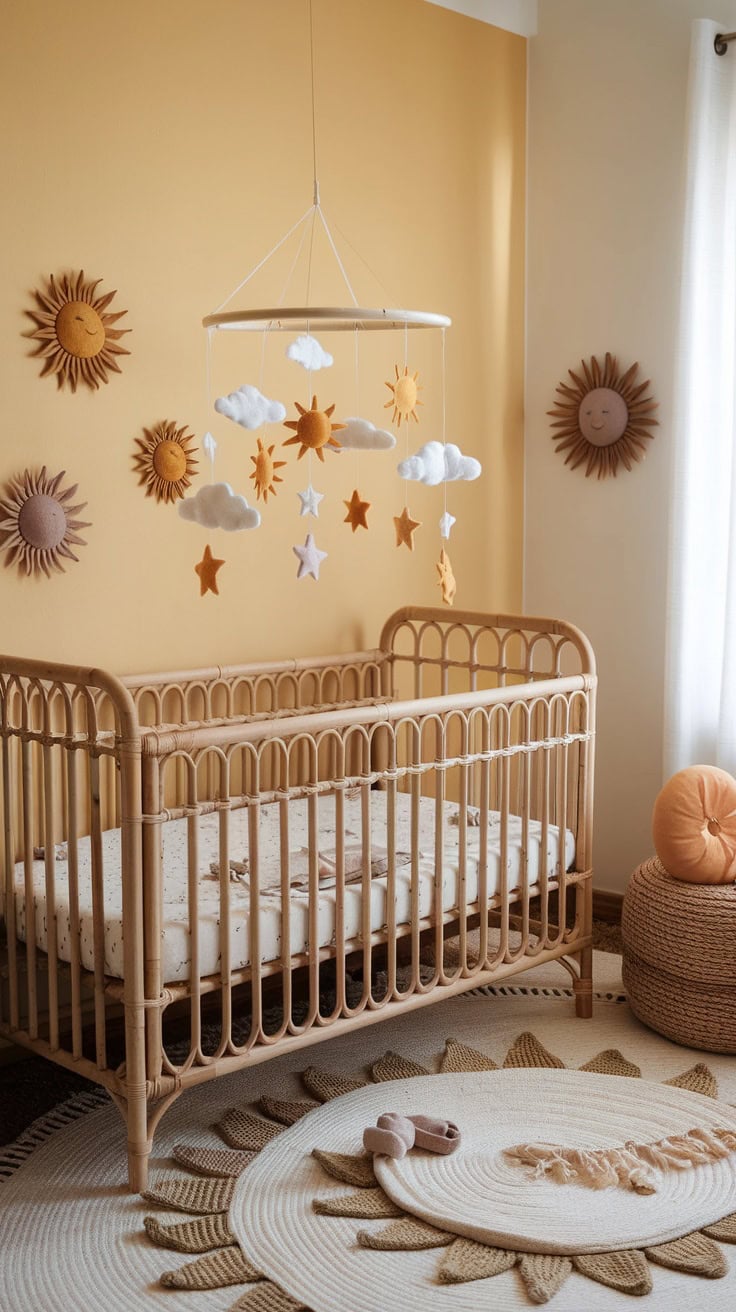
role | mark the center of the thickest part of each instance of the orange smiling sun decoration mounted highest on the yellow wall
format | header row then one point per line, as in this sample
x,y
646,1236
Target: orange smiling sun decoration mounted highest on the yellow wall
x,y
75,333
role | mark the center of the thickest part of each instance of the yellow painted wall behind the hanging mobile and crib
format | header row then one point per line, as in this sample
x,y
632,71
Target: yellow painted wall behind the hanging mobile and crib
x,y
165,146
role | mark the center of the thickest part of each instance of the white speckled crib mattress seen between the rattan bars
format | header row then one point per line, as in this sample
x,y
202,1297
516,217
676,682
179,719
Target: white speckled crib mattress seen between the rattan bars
x,y
176,939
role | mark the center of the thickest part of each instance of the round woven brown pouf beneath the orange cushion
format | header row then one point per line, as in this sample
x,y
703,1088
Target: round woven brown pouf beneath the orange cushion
x,y
680,960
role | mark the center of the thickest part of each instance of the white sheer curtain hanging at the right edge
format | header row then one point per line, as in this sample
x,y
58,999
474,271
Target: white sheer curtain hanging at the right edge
x,y
701,641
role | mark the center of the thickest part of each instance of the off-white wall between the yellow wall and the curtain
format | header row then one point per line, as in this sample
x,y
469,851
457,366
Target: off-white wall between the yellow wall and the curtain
x,y
608,86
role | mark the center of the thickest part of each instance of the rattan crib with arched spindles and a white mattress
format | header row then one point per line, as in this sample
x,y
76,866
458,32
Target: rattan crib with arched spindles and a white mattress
x,y
260,857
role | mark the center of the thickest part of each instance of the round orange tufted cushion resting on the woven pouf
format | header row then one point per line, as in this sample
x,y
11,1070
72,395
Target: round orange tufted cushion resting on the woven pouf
x,y
695,826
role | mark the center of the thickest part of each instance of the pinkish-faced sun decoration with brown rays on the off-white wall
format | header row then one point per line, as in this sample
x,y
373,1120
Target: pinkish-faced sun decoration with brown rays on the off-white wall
x,y
604,419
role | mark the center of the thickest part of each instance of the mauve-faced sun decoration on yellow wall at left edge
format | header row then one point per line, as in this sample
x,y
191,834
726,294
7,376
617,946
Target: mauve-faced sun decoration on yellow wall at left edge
x,y
39,527
